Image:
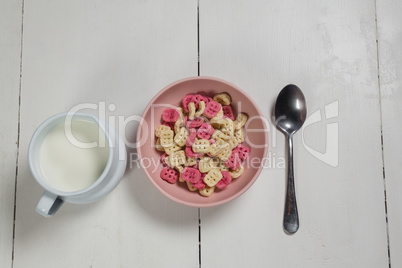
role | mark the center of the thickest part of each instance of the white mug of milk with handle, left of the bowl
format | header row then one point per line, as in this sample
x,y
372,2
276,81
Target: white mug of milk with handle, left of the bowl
x,y
41,161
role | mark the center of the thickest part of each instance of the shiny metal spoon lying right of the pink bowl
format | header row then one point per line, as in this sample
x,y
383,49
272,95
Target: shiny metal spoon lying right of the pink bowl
x,y
290,114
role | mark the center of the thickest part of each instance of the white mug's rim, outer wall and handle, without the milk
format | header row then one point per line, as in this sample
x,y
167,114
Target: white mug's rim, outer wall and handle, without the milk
x,y
52,198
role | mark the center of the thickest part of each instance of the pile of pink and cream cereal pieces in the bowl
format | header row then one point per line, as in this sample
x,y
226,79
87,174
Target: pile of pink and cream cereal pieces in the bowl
x,y
202,143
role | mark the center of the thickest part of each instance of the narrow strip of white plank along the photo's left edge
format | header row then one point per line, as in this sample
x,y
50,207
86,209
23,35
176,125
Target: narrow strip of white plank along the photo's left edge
x,y
10,50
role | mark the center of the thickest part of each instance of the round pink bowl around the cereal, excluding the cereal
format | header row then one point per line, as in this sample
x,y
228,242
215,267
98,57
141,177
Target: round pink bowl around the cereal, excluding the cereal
x,y
256,139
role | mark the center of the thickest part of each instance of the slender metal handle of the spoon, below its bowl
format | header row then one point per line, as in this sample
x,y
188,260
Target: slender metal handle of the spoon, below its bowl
x,y
291,217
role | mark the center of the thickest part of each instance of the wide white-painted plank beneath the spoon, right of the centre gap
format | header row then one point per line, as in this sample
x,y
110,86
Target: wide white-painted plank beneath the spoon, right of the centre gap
x,y
328,49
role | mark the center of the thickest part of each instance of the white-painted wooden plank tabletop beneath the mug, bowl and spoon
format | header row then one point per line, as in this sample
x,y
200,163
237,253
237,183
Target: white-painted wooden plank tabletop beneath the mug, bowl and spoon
x,y
345,55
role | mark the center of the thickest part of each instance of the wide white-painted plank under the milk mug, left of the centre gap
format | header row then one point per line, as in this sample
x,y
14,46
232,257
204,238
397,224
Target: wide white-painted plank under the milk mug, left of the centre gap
x,y
103,52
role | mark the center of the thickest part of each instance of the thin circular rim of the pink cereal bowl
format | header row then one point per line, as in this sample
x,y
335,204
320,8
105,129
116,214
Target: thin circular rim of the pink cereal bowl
x,y
194,204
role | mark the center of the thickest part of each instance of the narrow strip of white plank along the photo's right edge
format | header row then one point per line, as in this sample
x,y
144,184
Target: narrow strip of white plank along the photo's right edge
x,y
390,67
